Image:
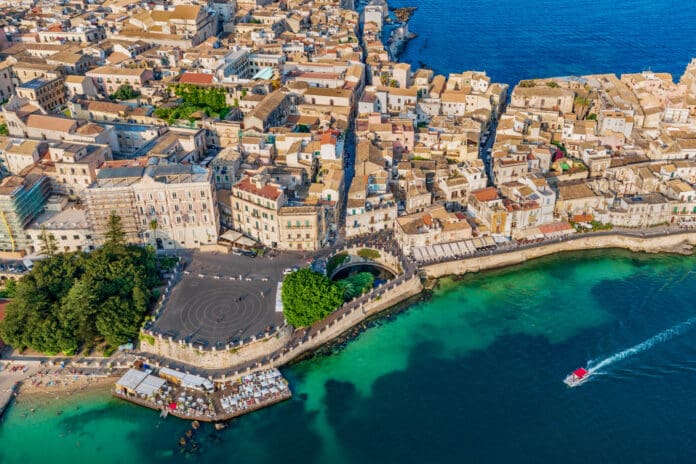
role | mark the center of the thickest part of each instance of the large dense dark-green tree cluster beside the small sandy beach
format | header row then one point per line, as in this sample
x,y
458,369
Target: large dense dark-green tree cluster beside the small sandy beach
x,y
72,300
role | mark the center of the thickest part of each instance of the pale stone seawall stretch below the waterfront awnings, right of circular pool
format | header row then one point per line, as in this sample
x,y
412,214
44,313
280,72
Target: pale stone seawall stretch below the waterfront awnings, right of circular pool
x,y
676,243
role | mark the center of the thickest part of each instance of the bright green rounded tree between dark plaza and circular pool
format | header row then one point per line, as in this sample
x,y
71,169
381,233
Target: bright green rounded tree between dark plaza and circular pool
x,y
308,297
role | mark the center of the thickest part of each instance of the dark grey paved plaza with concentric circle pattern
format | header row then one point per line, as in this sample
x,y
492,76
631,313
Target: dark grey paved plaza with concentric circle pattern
x,y
224,298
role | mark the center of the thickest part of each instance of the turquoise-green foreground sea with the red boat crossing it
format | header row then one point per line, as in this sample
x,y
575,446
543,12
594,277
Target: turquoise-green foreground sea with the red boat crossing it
x,y
472,375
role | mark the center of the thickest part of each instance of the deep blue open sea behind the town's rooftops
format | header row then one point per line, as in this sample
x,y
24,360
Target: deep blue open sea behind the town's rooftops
x,y
521,39
